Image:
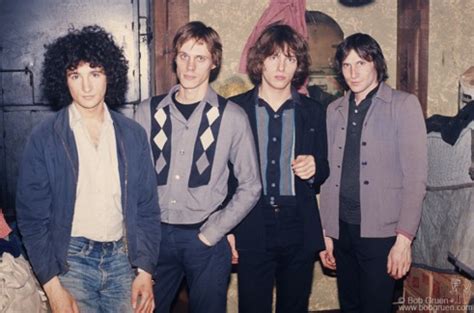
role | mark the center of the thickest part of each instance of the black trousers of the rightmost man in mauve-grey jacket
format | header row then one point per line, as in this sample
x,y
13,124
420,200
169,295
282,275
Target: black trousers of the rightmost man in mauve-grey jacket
x,y
362,280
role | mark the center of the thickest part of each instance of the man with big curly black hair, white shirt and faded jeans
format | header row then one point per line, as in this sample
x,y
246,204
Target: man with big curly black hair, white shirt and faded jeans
x,y
86,203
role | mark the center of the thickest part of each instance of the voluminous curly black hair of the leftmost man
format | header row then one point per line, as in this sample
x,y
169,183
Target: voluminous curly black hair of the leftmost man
x,y
93,45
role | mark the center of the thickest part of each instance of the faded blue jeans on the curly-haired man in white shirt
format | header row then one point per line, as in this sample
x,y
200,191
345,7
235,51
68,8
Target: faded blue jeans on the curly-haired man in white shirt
x,y
100,276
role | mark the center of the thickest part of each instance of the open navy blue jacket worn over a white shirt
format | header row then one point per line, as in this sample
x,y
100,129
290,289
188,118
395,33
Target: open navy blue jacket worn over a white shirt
x,y
47,190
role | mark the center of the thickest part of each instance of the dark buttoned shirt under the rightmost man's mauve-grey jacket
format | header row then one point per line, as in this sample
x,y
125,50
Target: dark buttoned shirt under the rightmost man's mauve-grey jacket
x,y
349,197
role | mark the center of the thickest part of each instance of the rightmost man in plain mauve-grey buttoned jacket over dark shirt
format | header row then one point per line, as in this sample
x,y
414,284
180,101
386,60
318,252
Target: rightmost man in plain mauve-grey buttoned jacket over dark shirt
x,y
371,203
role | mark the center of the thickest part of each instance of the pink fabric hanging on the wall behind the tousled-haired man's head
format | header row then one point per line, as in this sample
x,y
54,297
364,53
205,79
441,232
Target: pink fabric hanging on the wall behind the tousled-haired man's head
x,y
289,12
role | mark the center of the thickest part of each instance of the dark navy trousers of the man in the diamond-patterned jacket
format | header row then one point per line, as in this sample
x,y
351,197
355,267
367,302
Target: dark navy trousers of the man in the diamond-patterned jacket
x,y
207,270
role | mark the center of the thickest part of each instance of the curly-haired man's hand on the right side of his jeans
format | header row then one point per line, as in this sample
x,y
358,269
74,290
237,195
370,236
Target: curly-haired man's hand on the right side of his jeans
x,y
142,293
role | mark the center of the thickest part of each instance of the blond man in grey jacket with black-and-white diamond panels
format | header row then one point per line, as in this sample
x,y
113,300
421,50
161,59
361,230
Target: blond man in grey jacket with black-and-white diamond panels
x,y
194,135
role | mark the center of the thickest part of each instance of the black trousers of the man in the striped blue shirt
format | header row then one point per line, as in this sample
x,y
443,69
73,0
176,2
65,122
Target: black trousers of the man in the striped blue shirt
x,y
284,263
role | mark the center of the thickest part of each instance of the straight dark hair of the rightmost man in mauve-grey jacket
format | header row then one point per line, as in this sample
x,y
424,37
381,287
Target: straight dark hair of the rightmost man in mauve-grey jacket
x,y
367,48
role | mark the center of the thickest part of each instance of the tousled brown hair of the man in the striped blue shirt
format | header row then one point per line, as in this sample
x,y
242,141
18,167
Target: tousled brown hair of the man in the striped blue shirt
x,y
279,37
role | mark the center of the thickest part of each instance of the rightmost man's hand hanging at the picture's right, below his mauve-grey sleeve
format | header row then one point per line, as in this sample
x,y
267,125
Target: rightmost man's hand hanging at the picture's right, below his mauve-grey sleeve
x,y
399,258
